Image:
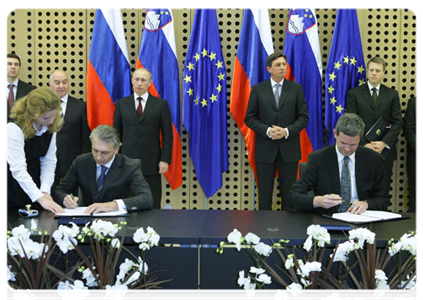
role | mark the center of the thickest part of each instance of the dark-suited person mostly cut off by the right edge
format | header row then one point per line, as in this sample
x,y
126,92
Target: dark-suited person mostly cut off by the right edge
x,y
411,127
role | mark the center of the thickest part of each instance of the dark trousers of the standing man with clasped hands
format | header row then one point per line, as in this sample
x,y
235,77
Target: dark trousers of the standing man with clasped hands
x,y
266,177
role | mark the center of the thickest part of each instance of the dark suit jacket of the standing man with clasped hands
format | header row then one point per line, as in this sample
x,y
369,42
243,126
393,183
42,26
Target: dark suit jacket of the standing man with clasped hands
x,y
262,113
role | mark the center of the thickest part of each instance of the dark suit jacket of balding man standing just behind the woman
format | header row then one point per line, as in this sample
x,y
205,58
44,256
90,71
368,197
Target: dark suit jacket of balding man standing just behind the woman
x,y
73,138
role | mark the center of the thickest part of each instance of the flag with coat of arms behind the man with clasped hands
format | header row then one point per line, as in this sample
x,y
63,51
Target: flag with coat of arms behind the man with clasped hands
x,y
302,49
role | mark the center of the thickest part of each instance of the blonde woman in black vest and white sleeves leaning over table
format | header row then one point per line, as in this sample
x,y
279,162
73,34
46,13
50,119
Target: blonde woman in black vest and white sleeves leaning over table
x,y
30,141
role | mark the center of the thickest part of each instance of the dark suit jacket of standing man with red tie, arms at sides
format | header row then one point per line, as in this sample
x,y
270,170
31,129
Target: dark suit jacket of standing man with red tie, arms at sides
x,y
142,139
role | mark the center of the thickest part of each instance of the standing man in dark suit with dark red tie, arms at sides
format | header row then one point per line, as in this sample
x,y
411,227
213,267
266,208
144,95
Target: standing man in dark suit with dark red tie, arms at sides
x,y
140,119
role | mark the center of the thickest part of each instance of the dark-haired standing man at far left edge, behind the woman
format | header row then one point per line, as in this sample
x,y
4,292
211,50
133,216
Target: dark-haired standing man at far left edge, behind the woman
x,y
15,88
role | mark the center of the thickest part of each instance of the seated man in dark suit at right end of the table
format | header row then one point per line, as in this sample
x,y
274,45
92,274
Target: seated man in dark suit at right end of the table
x,y
354,188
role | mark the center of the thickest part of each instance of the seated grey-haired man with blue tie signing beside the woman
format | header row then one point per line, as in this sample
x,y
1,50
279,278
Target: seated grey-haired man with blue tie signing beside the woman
x,y
107,179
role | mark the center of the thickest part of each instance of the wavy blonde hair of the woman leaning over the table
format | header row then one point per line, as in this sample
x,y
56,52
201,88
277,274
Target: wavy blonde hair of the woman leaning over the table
x,y
37,103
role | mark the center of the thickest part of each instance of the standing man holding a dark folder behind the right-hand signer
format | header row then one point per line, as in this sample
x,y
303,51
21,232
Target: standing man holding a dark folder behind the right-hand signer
x,y
372,100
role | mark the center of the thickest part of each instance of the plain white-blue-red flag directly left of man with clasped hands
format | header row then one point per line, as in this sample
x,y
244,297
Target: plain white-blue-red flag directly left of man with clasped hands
x,y
255,45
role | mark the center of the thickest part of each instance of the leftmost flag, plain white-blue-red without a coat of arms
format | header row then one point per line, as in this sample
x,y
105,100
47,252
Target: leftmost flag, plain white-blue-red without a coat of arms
x,y
108,71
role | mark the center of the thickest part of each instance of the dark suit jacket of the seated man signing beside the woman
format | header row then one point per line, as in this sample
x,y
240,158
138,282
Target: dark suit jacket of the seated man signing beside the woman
x,y
123,181
